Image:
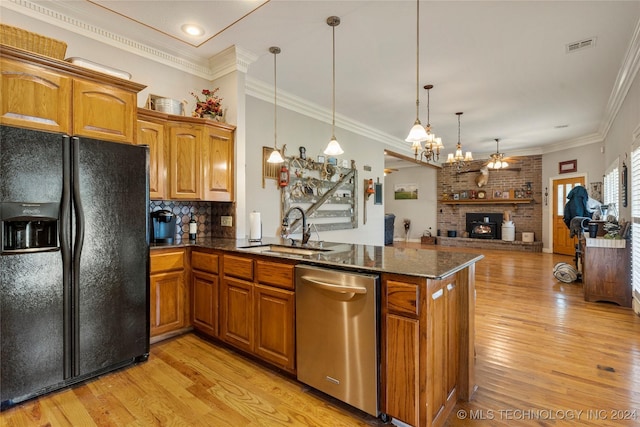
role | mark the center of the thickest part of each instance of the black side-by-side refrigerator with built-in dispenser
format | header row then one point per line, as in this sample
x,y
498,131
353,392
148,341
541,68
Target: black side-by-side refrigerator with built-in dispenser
x,y
74,260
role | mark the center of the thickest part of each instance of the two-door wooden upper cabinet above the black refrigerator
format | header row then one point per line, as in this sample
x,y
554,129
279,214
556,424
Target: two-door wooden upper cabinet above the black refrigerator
x,y
44,93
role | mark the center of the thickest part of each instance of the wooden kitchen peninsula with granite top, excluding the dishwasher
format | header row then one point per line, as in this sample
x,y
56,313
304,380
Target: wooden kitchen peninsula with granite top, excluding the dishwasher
x,y
242,294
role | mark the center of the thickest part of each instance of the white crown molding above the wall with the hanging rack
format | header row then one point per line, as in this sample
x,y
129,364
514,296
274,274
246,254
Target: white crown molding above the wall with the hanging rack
x,y
263,91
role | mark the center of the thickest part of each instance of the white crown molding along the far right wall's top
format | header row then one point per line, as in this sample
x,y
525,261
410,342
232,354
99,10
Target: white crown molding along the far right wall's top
x,y
624,80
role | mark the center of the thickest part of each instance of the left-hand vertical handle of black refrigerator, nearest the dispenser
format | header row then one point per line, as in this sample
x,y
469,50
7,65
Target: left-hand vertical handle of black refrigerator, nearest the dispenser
x,y
65,252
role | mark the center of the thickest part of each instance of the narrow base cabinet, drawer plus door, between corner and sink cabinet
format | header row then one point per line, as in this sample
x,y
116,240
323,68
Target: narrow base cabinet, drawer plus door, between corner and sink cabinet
x,y
205,286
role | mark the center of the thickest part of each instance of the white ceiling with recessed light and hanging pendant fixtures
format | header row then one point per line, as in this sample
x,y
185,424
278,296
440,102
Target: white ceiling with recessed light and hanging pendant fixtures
x,y
503,63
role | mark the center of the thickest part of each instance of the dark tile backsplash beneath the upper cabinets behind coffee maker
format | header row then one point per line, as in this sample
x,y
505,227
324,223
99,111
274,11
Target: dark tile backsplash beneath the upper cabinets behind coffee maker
x,y
208,216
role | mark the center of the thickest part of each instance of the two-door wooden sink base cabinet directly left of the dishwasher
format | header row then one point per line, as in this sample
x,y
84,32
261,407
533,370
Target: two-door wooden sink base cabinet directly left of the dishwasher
x,y
258,307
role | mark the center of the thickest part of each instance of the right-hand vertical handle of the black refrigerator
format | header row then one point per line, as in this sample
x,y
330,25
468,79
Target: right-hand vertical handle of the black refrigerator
x,y
77,250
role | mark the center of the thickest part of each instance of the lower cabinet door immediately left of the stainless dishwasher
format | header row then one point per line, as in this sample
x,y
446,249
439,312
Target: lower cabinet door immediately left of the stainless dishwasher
x,y
274,313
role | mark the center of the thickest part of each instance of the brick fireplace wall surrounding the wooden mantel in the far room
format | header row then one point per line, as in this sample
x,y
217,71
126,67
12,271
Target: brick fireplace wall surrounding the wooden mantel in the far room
x,y
522,170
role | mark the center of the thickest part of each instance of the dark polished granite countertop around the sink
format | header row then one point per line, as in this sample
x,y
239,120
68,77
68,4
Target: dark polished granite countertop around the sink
x,y
429,263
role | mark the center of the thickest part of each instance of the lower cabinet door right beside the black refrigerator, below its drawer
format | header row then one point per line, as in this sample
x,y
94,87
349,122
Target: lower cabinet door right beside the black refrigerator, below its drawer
x,y
167,302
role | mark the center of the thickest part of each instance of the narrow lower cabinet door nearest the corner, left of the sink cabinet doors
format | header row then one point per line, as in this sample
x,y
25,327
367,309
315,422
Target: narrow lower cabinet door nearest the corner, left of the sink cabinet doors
x,y
204,302
